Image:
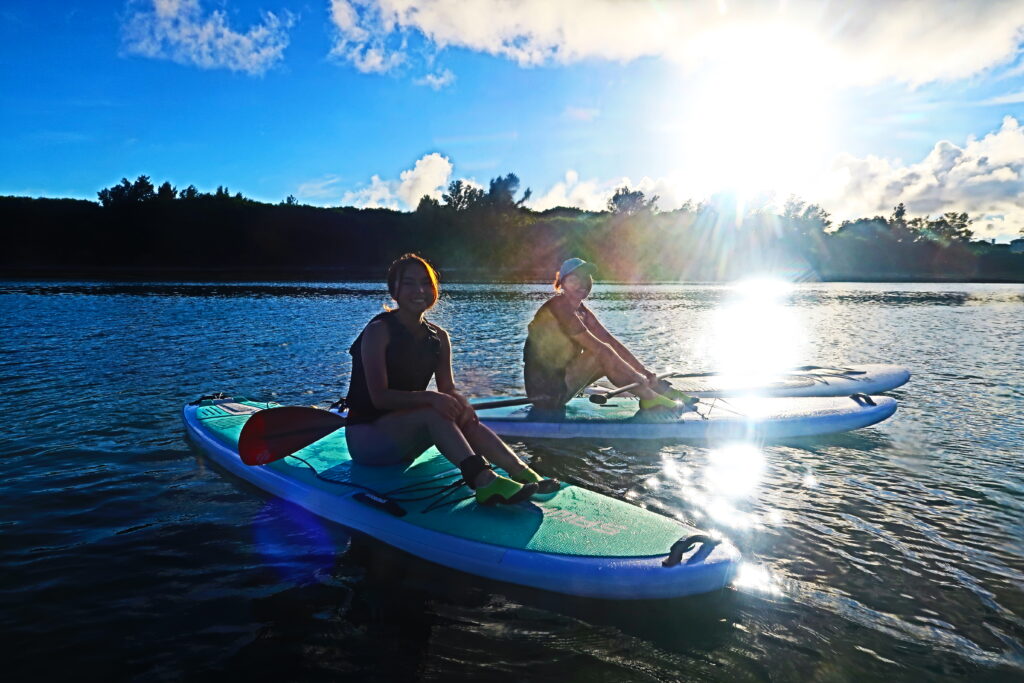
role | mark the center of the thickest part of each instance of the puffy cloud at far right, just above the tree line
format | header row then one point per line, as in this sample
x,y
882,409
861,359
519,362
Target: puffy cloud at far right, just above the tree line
x,y
984,178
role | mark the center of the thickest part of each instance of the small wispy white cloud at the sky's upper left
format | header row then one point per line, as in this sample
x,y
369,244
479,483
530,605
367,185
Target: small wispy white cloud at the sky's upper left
x,y
179,30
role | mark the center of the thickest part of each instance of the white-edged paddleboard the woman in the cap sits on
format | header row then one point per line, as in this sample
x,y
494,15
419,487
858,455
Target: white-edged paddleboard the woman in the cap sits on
x,y
712,419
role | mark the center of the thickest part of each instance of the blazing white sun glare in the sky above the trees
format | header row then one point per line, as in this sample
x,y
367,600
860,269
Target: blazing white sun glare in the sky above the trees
x,y
761,115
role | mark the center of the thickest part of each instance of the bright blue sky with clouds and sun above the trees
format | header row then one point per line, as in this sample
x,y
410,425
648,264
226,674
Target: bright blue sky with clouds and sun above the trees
x,y
374,103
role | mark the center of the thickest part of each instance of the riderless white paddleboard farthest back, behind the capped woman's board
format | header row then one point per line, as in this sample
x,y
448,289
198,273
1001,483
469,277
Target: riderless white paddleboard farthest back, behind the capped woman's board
x,y
805,381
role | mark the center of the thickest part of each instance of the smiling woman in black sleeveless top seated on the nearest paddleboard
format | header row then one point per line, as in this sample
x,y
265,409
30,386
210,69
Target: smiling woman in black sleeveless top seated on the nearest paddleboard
x,y
393,418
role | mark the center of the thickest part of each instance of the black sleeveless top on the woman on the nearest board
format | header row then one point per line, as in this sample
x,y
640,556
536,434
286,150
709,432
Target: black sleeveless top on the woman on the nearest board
x,y
411,364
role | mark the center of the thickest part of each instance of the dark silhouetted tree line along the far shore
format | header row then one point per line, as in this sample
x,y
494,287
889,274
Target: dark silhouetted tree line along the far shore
x,y
138,230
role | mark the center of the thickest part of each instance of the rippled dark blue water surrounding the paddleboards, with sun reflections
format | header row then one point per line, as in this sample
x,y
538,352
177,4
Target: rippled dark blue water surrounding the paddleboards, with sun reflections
x,y
897,552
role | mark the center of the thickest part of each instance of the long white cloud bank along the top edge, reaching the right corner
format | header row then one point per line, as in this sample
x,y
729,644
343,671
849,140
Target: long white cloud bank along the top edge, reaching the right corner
x,y
912,41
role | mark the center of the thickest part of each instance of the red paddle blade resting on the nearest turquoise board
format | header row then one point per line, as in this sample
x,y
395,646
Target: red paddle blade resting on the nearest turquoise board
x,y
278,433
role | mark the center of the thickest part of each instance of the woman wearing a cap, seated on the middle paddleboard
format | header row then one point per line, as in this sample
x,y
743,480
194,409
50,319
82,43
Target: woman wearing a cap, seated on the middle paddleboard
x,y
568,349
